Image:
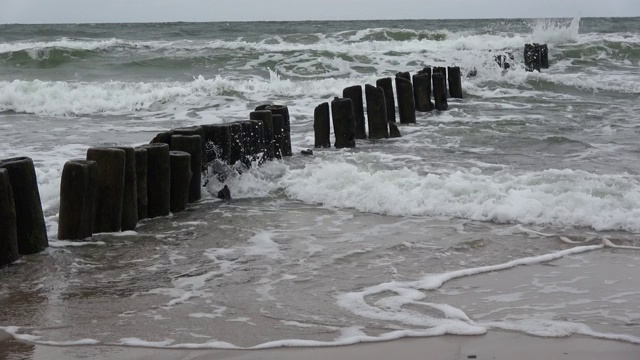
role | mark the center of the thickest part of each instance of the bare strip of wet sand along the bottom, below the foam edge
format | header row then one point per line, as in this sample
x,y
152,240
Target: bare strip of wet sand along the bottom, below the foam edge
x,y
495,345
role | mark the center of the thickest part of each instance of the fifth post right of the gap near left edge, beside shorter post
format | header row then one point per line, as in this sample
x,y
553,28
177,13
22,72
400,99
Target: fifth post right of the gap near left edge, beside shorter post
x,y
158,180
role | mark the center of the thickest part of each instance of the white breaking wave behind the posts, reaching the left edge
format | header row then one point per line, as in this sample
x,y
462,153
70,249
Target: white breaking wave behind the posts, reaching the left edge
x,y
61,98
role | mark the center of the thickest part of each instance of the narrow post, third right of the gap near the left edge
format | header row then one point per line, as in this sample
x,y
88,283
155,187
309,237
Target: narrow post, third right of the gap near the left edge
x,y
130,197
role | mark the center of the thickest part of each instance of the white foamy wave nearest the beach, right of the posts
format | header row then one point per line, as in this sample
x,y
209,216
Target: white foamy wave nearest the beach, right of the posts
x,y
550,197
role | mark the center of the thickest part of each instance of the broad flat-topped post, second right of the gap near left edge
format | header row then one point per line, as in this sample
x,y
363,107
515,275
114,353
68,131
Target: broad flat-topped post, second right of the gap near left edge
x,y
109,188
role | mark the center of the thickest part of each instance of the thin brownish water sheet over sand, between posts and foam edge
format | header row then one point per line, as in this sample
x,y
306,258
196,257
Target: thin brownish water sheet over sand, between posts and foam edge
x,y
213,274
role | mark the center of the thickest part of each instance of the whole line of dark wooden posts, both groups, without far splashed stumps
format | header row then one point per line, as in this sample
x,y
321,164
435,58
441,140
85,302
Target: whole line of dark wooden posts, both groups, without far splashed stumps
x,y
113,188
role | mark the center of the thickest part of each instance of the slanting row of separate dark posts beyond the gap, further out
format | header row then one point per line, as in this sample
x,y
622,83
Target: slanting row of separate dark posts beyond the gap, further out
x,y
348,112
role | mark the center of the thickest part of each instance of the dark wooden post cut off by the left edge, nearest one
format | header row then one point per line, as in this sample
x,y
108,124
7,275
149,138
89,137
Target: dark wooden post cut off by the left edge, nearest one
x,y
9,230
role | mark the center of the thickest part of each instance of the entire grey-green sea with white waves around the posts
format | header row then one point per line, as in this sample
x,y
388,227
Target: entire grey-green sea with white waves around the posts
x,y
516,210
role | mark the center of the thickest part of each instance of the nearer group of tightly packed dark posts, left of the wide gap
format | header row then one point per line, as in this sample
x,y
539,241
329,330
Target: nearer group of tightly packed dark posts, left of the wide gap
x,y
116,187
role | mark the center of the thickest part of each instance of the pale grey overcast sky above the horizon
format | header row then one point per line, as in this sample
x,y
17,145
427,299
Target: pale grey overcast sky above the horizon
x,y
80,11
